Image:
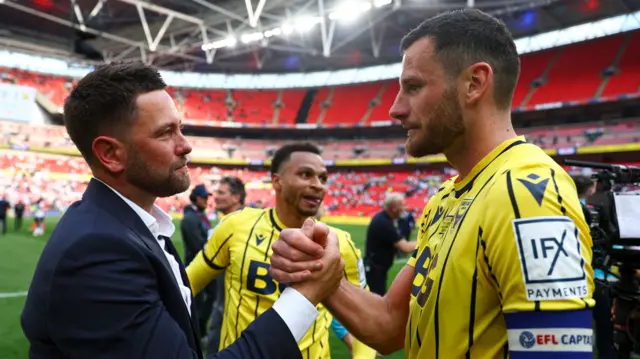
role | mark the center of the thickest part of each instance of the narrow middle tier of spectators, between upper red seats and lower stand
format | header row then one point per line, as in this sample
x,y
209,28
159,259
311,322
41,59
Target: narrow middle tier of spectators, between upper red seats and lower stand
x,y
23,136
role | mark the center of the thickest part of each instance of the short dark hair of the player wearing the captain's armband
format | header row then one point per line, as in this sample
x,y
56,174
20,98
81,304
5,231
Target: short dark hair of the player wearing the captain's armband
x,y
464,37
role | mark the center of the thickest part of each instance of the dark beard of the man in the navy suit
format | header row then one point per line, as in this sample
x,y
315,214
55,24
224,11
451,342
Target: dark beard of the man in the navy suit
x,y
153,181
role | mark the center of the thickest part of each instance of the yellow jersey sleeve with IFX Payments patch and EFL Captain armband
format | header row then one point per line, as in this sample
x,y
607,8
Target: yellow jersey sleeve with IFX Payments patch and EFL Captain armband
x,y
536,249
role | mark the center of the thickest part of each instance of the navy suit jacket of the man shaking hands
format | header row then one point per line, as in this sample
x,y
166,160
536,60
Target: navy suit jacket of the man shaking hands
x,y
103,288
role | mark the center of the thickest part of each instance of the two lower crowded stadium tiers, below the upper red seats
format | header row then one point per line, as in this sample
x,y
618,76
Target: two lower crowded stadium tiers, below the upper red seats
x,y
61,179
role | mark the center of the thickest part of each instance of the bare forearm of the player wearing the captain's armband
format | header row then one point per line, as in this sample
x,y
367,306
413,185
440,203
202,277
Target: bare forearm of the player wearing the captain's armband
x,y
369,317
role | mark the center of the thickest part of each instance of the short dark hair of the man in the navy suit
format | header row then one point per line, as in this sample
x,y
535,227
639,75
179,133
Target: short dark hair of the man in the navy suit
x,y
104,101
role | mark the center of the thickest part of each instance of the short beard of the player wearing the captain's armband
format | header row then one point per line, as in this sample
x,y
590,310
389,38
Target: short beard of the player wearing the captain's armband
x,y
441,129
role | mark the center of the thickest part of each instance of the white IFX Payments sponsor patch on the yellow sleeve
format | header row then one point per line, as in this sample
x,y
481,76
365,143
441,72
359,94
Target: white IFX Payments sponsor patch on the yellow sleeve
x,y
550,258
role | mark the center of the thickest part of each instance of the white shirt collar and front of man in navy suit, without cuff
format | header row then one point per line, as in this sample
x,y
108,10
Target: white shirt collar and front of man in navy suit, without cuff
x,y
160,224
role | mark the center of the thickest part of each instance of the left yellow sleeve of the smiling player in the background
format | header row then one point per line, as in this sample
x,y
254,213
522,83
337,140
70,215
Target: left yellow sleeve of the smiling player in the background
x,y
213,259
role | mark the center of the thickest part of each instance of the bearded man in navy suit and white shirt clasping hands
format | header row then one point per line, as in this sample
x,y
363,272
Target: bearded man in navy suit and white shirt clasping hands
x,y
109,283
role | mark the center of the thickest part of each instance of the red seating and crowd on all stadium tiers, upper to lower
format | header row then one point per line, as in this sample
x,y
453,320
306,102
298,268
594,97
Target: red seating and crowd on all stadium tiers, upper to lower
x,y
547,77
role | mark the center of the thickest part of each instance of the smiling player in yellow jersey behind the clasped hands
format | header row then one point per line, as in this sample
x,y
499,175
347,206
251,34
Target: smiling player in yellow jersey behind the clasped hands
x,y
241,246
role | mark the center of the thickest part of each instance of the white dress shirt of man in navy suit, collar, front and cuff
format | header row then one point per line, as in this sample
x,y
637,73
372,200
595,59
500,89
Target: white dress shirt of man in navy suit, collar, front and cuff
x,y
296,311
